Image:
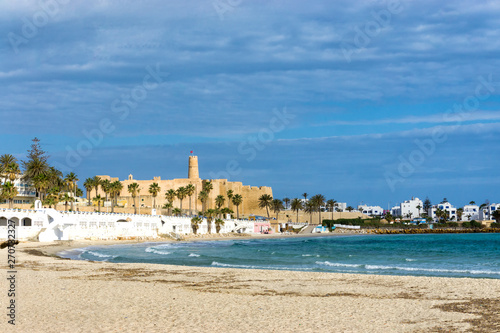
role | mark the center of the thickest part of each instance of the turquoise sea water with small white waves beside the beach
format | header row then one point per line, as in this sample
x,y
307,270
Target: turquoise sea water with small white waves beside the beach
x,y
451,255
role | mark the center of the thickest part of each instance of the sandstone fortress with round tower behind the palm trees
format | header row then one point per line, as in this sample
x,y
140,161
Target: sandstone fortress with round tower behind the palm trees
x,y
250,194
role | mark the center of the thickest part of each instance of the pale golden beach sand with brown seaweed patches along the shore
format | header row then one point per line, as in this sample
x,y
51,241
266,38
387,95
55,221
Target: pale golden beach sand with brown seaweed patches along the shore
x,y
60,295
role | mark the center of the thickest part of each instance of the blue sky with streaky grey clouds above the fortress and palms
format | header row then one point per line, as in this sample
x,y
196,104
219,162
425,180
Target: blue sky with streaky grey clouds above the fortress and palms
x,y
371,102
